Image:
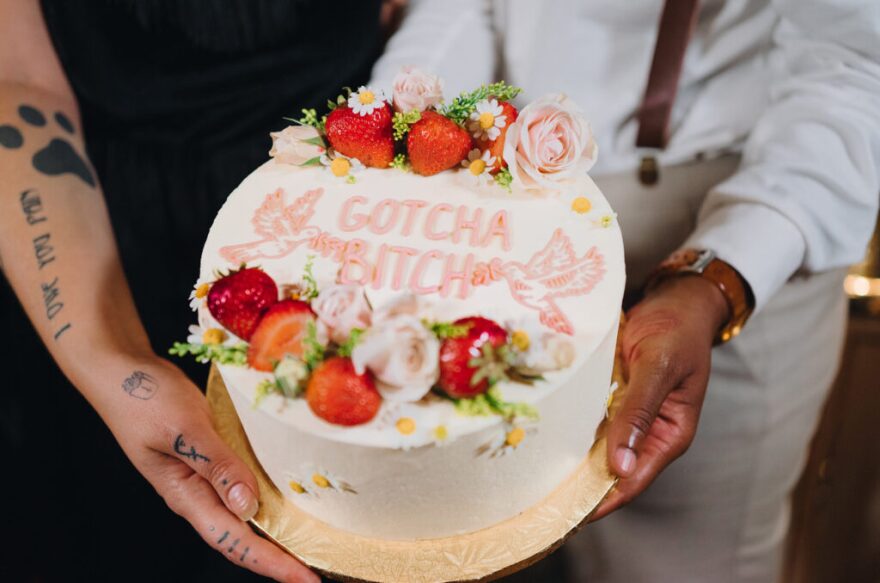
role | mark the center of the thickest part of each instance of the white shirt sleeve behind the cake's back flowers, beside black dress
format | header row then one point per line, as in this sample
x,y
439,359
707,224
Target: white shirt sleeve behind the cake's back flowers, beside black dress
x,y
453,39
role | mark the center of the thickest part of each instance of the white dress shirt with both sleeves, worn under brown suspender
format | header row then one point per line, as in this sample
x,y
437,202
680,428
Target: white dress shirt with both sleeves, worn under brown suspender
x,y
792,84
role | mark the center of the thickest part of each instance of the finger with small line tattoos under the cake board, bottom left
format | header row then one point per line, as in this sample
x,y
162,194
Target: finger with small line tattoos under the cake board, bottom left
x,y
194,499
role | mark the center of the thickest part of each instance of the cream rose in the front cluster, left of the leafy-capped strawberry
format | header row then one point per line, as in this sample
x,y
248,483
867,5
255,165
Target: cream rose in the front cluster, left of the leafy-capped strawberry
x,y
403,355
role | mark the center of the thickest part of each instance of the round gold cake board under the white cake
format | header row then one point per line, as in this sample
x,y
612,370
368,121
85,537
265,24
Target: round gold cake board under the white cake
x,y
479,556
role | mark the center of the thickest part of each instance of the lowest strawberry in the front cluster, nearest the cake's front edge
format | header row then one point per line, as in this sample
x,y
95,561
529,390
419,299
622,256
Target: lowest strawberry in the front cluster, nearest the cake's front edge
x,y
337,394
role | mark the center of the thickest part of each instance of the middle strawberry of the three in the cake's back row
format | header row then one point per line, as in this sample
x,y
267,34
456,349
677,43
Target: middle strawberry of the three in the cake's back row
x,y
436,143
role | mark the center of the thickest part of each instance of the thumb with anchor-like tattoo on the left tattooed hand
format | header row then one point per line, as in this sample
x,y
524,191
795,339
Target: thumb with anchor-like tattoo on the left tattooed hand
x,y
203,450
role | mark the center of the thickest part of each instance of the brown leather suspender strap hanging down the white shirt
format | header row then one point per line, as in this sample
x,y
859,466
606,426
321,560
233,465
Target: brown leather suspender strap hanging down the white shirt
x,y
676,28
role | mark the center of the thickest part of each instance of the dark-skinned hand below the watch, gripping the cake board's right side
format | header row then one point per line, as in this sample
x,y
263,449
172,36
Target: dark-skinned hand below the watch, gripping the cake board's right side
x,y
666,348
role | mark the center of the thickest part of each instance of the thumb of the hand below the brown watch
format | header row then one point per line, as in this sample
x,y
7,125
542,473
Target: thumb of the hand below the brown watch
x,y
651,378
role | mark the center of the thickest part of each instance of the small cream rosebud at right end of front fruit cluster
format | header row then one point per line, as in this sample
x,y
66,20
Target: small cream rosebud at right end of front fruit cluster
x,y
537,350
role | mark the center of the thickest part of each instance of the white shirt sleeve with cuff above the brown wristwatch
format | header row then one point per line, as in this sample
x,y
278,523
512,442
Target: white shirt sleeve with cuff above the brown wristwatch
x,y
806,196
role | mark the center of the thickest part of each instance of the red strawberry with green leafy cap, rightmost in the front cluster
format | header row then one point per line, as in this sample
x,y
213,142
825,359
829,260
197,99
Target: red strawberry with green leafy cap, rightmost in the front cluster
x,y
467,367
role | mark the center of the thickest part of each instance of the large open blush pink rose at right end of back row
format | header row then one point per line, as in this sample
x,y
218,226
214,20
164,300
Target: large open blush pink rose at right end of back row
x,y
549,143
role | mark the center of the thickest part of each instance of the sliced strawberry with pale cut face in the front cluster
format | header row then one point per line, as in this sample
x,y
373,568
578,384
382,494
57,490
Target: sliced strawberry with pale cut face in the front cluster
x,y
279,333
